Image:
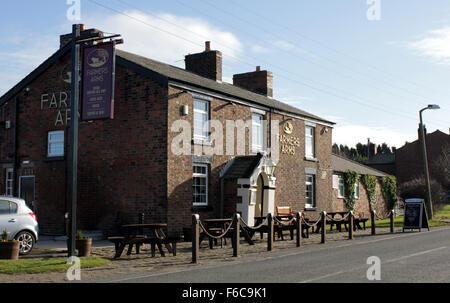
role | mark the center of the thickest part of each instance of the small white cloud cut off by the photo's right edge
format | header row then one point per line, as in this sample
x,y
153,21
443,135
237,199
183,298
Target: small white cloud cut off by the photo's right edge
x,y
436,45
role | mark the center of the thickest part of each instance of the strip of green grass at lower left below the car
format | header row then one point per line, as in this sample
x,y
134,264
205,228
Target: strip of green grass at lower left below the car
x,y
44,265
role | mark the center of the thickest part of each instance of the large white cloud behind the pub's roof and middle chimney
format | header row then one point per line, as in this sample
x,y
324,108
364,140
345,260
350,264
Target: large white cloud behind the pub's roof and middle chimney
x,y
148,35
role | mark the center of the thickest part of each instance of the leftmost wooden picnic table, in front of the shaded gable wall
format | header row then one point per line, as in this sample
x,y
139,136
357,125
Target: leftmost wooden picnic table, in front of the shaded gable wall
x,y
134,235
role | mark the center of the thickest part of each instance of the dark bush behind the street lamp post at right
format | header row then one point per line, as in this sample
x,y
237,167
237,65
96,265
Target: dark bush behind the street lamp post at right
x,y
416,188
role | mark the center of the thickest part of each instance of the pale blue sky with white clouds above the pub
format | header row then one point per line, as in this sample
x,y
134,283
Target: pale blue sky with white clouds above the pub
x,y
367,65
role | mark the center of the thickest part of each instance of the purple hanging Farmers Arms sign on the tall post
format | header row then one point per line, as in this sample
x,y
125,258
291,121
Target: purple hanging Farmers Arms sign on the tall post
x,y
98,82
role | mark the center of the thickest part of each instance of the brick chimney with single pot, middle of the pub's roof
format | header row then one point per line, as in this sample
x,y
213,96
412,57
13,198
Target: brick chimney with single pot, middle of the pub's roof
x,y
207,64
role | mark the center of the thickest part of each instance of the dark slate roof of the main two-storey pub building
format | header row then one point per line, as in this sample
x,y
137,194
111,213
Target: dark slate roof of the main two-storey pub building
x,y
173,73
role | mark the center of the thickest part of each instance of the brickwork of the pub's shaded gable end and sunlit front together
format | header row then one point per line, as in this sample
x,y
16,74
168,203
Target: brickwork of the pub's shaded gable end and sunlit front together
x,y
126,165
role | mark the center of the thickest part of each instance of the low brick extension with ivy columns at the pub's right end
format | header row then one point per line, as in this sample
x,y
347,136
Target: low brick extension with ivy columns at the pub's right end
x,y
340,166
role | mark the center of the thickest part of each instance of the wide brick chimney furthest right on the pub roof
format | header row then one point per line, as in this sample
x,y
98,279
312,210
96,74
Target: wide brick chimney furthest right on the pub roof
x,y
259,81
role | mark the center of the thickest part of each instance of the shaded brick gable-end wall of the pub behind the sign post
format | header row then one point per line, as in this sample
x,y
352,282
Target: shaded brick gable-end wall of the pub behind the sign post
x,y
122,162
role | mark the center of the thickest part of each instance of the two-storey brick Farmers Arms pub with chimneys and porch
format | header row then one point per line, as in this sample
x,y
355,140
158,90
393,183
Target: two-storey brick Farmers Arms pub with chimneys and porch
x,y
131,164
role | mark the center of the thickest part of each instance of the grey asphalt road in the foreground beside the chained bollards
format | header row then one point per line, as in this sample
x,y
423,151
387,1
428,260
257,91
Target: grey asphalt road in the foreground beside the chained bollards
x,y
405,257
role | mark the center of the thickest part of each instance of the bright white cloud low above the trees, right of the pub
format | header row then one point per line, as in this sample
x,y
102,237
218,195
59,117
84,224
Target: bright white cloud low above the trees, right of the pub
x,y
350,135
